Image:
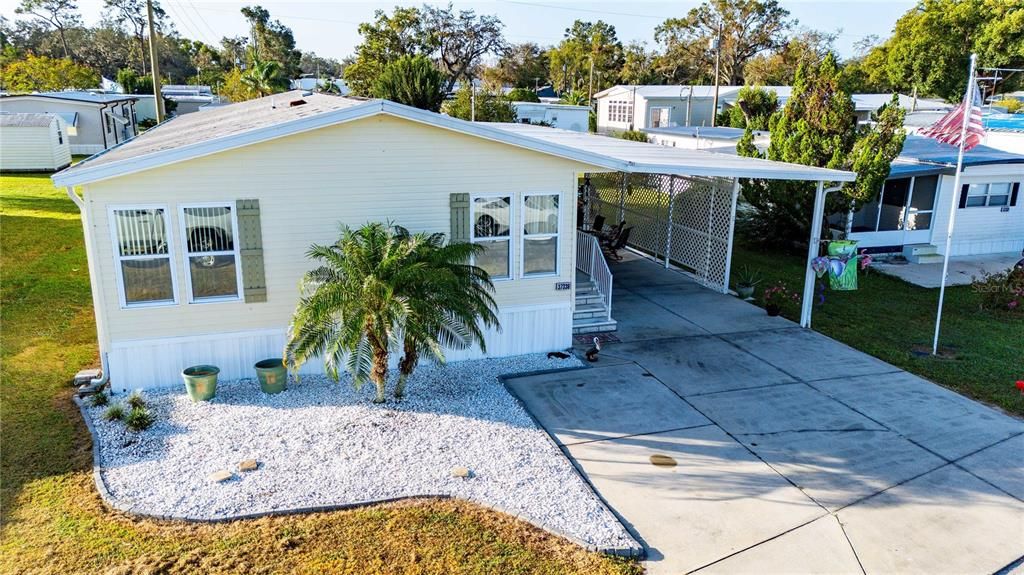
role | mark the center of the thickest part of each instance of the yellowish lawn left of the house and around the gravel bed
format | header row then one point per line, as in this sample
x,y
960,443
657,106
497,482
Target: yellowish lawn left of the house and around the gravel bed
x,y
53,520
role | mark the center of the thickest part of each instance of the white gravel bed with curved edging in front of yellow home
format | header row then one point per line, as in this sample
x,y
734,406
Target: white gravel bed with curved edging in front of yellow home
x,y
323,444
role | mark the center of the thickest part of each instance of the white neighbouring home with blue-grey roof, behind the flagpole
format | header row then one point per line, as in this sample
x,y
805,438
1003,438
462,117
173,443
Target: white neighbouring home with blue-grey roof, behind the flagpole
x,y
912,212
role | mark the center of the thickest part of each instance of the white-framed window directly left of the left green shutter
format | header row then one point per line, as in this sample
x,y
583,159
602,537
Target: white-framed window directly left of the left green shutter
x,y
212,262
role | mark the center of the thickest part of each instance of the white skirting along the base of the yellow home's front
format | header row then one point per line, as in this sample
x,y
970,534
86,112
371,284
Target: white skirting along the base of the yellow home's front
x,y
158,363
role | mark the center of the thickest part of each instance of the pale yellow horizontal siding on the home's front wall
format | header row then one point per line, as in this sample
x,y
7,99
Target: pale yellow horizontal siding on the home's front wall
x,y
377,169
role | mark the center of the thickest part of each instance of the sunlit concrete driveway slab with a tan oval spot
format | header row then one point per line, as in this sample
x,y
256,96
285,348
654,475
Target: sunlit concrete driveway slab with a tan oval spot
x,y
717,501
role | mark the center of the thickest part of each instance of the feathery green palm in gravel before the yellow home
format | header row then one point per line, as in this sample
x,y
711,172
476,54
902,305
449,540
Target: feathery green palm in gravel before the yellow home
x,y
380,288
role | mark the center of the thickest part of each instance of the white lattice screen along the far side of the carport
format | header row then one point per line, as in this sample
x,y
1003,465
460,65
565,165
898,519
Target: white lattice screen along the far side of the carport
x,y
686,219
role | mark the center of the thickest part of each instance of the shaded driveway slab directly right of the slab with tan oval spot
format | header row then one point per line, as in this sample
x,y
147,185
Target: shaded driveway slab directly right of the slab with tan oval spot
x,y
837,469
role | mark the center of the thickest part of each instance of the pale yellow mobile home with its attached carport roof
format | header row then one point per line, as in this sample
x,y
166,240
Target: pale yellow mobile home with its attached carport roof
x,y
196,231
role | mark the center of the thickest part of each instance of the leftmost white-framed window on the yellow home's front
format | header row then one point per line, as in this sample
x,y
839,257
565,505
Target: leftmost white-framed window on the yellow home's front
x,y
144,256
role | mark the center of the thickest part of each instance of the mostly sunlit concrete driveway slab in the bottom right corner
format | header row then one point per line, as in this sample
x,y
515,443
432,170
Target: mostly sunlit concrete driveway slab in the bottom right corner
x,y
947,521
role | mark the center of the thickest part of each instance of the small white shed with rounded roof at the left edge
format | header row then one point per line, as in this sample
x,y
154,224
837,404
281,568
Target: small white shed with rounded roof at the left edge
x,y
33,143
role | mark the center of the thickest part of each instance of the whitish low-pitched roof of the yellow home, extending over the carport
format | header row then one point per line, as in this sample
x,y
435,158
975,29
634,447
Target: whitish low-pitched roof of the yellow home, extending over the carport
x,y
243,124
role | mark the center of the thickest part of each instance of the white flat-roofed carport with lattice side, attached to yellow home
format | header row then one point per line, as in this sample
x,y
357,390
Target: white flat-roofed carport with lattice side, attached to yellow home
x,y
680,203
